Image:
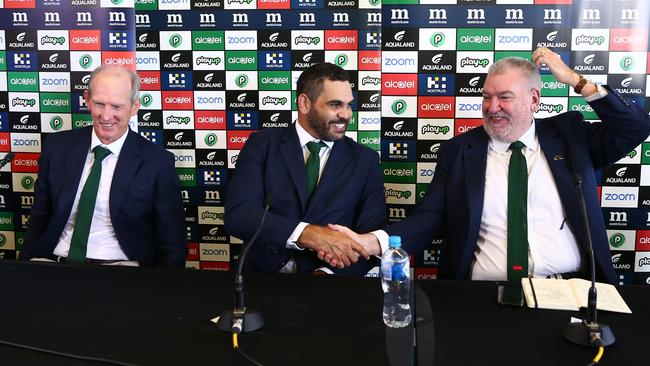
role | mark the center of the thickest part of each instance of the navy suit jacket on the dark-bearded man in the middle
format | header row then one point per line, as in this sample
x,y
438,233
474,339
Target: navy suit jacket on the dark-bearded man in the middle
x,y
271,168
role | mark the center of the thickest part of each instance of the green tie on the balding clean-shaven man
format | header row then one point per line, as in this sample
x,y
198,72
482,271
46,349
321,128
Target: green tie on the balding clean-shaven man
x,y
86,208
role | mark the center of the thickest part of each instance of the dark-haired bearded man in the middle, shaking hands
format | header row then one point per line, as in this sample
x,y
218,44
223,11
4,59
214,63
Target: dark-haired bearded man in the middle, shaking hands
x,y
309,174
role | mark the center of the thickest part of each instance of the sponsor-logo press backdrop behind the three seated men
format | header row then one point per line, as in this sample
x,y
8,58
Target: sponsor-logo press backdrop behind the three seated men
x,y
214,71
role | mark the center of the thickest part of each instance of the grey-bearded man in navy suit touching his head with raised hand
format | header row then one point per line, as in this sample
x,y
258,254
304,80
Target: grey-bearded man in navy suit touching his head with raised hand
x,y
466,202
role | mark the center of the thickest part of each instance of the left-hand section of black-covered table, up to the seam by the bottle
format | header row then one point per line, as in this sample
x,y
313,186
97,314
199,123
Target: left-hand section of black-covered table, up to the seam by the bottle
x,y
161,317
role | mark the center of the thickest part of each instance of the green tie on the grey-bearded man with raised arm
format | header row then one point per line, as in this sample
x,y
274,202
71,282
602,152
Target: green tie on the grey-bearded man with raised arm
x,y
517,214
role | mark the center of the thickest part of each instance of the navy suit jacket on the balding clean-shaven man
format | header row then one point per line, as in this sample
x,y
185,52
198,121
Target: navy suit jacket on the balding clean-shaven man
x,y
145,200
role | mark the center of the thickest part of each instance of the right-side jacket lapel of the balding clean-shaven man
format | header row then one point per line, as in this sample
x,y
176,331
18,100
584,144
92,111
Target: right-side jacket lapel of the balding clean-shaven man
x,y
128,162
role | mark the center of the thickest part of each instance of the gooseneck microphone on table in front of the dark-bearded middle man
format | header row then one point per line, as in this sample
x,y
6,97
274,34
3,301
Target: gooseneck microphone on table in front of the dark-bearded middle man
x,y
240,320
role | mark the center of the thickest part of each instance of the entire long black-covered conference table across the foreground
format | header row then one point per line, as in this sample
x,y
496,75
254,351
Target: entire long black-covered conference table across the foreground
x,y
155,316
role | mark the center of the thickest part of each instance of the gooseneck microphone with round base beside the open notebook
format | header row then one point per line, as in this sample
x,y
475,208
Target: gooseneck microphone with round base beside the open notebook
x,y
588,332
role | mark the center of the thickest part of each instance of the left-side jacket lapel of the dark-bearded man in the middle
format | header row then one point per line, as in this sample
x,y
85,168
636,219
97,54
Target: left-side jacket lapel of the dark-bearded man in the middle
x,y
291,154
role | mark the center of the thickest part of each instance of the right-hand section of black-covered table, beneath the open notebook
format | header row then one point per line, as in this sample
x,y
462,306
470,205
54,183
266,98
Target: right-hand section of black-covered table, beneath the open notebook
x,y
461,323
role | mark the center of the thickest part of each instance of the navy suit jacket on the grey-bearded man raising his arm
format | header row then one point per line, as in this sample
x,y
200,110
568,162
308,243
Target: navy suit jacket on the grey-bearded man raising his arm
x,y
453,204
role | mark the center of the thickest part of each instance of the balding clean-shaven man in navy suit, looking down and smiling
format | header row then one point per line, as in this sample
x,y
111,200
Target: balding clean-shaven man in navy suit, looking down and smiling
x,y
138,217
